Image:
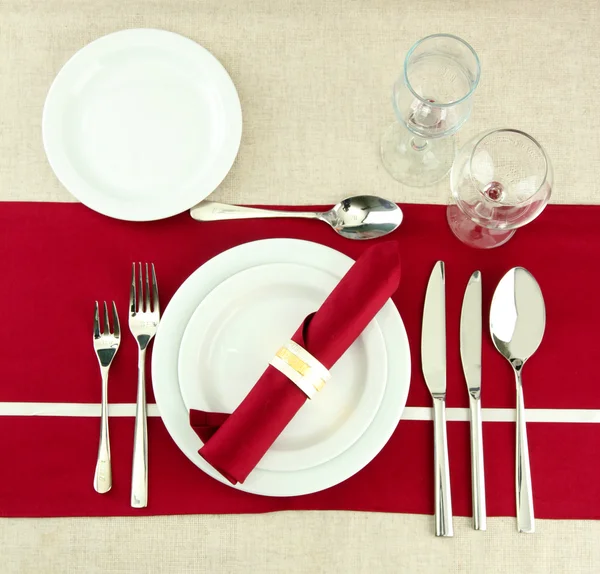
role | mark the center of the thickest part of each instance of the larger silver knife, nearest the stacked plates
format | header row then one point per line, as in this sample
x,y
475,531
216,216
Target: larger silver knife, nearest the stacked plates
x,y
433,359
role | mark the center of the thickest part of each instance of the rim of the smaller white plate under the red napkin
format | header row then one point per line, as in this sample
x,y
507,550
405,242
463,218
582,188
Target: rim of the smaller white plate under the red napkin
x,y
373,342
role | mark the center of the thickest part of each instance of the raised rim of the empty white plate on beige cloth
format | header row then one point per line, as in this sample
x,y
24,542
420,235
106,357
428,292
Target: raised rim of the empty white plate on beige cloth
x,y
142,210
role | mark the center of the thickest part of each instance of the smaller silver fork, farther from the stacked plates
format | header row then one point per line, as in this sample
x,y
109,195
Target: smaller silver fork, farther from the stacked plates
x,y
106,345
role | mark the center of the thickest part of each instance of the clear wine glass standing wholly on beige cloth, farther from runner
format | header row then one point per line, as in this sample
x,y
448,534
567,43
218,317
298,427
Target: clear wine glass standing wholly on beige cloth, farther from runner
x,y
432,99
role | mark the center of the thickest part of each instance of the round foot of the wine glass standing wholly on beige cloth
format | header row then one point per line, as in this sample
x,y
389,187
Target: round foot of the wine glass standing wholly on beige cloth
x,y
413,161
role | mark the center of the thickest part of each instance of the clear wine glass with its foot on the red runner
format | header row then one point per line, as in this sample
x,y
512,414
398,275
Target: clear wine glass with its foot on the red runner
x,y
500,180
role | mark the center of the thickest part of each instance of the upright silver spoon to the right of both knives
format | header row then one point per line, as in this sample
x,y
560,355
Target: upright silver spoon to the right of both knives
x,y
517,323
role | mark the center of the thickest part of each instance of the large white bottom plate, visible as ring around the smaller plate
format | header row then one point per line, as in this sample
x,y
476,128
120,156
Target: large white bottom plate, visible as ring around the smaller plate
x,y
168,341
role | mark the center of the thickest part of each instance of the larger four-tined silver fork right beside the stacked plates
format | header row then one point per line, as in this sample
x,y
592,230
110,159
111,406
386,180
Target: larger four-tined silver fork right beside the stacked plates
x,y
144,316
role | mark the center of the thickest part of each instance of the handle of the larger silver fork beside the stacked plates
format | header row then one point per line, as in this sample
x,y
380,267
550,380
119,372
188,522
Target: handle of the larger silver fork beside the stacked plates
x,y
139,474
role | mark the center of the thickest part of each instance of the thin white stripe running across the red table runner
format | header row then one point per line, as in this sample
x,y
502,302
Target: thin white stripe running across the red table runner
x,y
410,413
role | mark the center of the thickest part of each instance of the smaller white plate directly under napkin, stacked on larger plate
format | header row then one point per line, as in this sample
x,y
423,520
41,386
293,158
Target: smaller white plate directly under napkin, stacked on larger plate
x,y
235,332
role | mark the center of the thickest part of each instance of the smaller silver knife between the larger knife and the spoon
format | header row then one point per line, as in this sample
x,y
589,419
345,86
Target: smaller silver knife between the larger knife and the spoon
x,y
470,355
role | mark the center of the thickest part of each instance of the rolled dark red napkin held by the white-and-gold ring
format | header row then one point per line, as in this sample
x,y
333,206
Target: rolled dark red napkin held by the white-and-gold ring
x,y
235,443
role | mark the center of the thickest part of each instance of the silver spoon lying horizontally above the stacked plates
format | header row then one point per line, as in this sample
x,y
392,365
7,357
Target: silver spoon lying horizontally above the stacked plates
x,y
360,217
